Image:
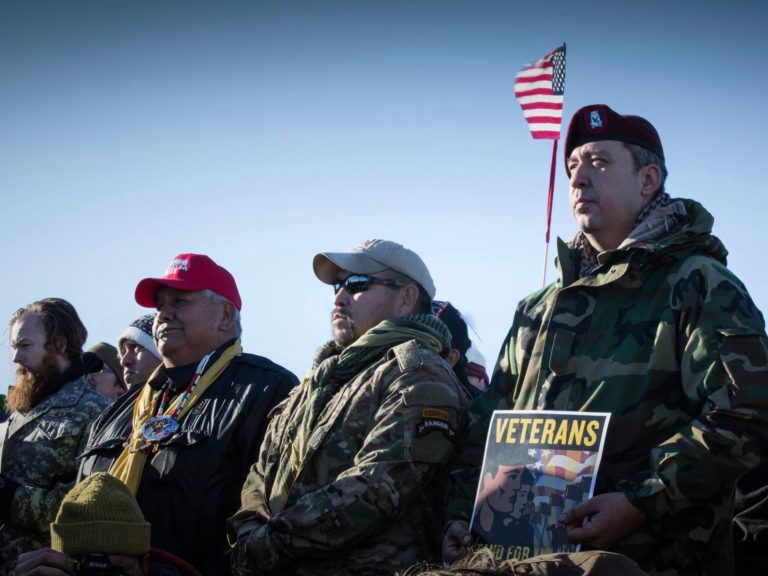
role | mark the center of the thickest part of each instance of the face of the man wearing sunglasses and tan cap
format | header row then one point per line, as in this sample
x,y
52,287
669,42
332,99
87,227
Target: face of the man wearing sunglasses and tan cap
x,y
354,314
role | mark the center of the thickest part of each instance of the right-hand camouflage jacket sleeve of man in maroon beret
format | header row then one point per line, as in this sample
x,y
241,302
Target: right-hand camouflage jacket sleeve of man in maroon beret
x,y
724,367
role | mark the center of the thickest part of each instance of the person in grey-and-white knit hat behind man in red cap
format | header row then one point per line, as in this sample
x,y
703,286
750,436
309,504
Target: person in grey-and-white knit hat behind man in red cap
x,y
139,355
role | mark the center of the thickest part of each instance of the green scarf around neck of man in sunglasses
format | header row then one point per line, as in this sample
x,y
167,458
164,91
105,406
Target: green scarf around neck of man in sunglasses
x,y
332,368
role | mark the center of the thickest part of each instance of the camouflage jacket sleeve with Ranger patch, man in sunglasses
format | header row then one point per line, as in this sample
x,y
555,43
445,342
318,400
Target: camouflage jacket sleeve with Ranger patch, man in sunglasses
x,y
398,458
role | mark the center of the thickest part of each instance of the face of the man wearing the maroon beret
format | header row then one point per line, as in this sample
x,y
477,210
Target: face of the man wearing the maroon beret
x,y
605,192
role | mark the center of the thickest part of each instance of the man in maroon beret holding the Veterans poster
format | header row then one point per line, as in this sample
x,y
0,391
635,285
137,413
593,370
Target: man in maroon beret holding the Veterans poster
x,y
646,322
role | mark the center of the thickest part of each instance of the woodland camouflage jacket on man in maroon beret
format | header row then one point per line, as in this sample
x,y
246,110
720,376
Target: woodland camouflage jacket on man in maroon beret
x,y
666,338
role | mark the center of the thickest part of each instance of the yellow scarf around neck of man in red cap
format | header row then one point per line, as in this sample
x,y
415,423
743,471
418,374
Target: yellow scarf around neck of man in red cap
x,y
130,464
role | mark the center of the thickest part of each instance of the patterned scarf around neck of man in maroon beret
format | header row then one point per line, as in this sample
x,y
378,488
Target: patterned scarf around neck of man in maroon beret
x,y
661,217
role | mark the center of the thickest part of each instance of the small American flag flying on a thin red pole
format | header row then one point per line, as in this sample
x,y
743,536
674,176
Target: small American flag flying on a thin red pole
x,y
539,87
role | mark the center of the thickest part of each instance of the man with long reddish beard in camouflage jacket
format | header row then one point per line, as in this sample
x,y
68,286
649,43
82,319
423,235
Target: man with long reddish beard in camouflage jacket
x,y
51,407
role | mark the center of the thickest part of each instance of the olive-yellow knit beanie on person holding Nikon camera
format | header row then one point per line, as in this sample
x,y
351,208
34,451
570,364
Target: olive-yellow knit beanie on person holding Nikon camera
x,y
100,515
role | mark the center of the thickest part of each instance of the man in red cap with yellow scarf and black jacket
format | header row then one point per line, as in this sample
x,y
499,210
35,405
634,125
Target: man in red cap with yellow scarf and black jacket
x,y
183,442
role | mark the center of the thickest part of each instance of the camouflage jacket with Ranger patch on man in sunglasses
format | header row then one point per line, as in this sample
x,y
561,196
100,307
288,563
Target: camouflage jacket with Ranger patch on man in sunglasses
x,y
369,495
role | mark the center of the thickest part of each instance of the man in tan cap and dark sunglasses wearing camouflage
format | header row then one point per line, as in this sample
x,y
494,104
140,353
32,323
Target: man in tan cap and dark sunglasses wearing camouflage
x,y
352,473
